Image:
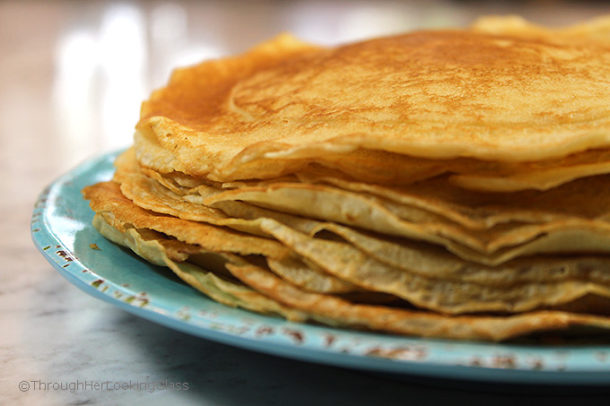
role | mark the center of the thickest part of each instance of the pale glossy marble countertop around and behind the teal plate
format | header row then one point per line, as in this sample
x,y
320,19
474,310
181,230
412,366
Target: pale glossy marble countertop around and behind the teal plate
x,y
72,75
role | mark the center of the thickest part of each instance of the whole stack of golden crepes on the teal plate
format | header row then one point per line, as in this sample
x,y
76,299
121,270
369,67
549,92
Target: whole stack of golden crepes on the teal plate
x,y
451,183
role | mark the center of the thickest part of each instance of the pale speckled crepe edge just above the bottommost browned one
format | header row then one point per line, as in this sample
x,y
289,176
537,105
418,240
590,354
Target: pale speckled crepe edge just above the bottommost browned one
x,y
349,264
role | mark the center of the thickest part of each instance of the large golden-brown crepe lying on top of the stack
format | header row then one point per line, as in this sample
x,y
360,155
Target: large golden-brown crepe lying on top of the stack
x,y
428,94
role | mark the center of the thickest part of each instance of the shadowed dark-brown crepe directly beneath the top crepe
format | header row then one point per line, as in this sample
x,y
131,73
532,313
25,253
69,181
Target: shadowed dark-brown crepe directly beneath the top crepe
x,y
432,200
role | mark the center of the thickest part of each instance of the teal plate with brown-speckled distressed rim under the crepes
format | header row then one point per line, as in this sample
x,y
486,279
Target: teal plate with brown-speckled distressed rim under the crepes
x,y
62,231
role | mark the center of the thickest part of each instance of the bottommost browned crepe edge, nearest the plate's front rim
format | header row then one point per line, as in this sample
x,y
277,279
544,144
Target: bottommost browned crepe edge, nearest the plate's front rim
x,y
412,322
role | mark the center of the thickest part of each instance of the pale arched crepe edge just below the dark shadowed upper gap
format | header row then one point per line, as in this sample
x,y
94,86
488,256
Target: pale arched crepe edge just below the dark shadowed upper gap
x,y
360,210
